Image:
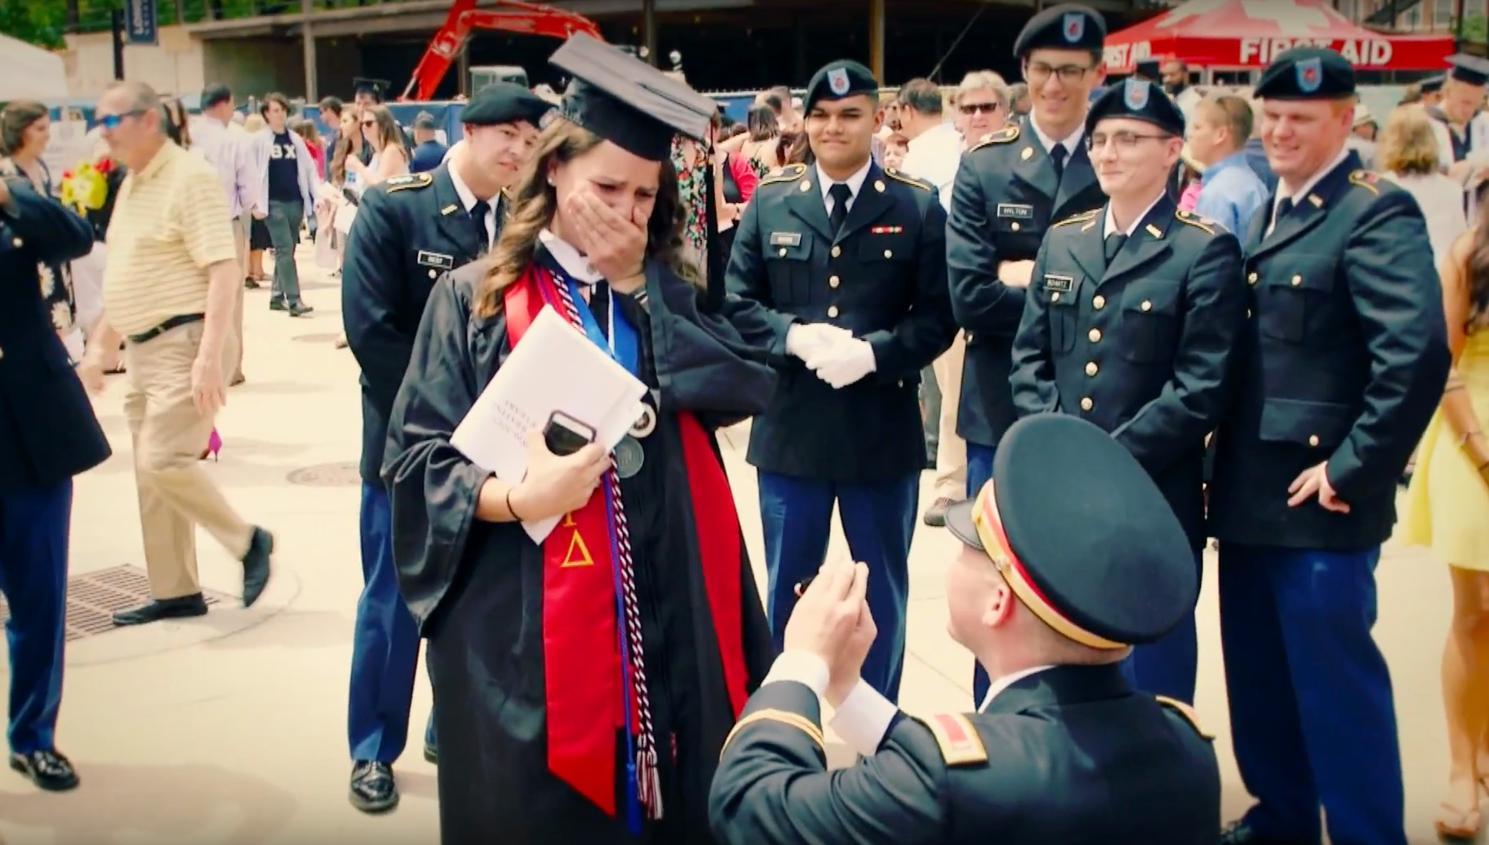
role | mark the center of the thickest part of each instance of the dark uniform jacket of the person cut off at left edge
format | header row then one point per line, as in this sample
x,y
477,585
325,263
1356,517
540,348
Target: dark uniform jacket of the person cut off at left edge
x,y
48,430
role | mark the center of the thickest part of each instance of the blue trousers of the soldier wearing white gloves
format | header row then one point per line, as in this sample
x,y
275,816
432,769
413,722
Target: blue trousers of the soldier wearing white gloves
x,y
879,521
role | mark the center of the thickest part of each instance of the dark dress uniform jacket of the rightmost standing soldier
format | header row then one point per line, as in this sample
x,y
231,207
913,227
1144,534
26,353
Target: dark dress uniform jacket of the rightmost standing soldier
x,y
1344,360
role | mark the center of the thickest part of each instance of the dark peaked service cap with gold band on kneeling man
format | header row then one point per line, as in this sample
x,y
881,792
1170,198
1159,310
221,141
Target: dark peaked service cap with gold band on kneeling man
x,y
1082,534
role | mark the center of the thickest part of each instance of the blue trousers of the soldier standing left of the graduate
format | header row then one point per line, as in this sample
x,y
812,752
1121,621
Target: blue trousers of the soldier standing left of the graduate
x,y
385,651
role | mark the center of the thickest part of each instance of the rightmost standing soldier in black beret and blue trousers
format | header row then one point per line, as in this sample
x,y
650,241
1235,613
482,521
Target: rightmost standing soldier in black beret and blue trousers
x,y
1339,367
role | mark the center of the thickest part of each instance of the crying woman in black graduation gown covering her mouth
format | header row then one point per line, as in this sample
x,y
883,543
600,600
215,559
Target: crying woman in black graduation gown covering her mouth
x,y
584,685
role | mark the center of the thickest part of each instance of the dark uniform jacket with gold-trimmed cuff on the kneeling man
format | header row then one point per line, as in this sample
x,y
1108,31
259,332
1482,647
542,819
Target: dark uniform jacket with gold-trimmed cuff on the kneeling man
x,y
1071,755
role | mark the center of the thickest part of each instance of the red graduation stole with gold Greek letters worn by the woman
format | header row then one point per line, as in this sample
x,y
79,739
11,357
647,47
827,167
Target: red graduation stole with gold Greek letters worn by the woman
x,y
581,639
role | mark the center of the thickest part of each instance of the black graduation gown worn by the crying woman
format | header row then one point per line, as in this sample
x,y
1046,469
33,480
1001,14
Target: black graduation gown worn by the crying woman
x,y
477,588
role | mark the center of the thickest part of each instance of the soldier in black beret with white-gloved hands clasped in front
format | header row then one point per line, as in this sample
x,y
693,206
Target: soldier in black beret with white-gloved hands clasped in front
x,y
839,270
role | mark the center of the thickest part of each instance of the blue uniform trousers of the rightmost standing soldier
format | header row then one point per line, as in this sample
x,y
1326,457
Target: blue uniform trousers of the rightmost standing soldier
x,y
1311,704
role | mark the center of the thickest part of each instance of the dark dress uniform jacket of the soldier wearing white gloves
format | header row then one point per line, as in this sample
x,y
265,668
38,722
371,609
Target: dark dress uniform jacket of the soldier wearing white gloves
x,y
882,278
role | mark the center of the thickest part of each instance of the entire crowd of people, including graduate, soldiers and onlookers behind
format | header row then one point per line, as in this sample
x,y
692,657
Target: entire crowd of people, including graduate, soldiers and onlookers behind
x,y
1116,320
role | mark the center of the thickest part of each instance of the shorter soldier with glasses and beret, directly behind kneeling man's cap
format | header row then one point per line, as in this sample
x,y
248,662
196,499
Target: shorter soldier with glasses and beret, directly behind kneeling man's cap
x,y
1129,324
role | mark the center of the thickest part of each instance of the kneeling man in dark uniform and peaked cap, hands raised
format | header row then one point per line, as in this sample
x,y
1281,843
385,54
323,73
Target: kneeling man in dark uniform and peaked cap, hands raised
x,y
1068,558
